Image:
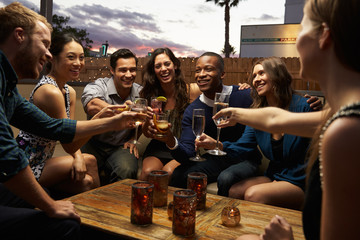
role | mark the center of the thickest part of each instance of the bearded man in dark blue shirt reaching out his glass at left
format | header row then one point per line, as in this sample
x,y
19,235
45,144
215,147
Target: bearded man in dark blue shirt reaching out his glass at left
x,y
25,38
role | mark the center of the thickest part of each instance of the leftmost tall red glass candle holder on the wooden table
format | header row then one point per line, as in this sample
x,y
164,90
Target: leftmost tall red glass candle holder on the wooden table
x,y
142,203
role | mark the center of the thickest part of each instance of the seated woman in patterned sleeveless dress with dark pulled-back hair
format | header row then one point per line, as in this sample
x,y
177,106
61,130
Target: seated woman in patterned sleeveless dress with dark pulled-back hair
x,y
75,172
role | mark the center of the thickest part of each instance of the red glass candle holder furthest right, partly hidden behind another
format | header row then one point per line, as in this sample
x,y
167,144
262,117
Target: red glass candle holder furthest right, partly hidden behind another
x,y
197,182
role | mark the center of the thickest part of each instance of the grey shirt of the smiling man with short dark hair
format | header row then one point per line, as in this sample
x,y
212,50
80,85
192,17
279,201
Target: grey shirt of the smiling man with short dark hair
x,y
104,89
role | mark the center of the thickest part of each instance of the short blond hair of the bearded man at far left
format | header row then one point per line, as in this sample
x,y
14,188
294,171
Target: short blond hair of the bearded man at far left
x,y
16,15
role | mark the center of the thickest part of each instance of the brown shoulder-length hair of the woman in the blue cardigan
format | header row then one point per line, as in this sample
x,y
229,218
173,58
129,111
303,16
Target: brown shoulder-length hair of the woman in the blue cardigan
x,y
278,74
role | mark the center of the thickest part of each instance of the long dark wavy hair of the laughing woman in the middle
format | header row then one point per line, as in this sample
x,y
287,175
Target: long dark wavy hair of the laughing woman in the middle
x,y
151,84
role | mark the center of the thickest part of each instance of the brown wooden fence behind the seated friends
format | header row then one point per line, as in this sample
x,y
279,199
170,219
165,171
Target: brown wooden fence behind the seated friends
x,y
237,70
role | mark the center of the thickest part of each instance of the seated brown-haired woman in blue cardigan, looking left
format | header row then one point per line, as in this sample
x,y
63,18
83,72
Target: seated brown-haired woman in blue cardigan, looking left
x,y
284,180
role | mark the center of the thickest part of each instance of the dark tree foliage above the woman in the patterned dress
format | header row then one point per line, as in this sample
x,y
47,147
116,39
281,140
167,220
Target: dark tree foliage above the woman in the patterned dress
x,y
59,24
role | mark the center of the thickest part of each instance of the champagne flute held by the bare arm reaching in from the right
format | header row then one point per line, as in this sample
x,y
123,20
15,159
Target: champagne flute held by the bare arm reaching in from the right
x,y
221,101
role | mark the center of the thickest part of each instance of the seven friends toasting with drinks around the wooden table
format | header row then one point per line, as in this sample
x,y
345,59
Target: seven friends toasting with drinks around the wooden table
x,y
266,117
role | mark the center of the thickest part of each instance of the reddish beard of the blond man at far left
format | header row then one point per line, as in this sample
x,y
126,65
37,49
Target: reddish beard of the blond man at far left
x,y
25,63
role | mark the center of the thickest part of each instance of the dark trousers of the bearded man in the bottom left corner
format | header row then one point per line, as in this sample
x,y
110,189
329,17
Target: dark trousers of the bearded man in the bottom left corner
x,y
19,221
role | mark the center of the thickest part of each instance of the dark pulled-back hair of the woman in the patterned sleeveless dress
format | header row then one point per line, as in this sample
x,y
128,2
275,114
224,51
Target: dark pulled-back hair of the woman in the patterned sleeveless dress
x,y
58,43
